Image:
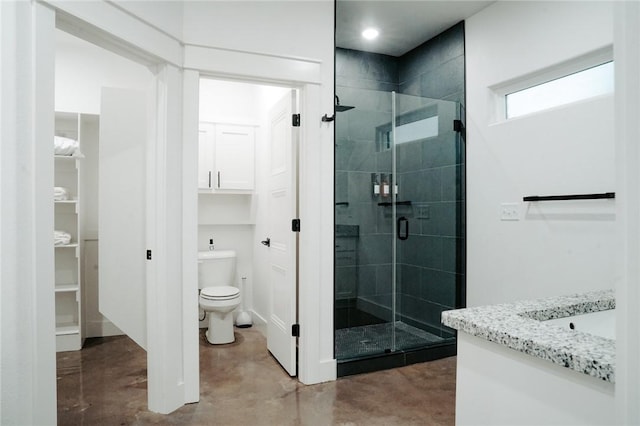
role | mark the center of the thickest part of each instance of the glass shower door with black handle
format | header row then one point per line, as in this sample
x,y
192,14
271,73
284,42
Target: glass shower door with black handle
x,y
428,218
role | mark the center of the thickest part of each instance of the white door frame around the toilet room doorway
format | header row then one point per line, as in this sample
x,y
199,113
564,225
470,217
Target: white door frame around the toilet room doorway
x,y
316,362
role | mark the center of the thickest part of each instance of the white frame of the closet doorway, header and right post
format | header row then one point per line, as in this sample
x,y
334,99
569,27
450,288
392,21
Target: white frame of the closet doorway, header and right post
x,y
171,382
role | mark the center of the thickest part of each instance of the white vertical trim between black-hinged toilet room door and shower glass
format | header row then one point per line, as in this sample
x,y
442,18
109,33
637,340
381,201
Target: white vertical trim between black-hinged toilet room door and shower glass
x,y
316,361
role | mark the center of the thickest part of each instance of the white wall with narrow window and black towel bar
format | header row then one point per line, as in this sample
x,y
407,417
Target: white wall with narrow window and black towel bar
x,y
554,248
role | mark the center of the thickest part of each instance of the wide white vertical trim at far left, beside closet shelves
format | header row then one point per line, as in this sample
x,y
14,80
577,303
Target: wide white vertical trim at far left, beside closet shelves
x,y
28,361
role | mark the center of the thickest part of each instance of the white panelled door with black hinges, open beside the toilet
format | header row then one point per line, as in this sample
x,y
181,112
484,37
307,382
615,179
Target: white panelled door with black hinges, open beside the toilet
x,y
282,199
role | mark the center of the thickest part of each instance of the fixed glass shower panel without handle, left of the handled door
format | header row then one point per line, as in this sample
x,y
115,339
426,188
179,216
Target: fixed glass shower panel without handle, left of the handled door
x,y
364,232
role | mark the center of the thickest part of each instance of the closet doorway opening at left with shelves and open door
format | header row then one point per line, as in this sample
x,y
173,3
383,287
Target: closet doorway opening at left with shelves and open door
x,y
87,106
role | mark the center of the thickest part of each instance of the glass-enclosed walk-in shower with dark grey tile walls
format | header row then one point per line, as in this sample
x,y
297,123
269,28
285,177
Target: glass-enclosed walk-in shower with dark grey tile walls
x,y
399,235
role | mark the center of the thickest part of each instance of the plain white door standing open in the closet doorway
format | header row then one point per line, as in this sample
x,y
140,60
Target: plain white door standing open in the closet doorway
x,y
122,182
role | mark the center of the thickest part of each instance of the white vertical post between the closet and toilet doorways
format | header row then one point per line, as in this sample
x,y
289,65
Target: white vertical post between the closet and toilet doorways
x,y
165,318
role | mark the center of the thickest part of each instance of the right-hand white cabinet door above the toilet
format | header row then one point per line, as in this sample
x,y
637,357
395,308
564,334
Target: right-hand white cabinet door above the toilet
x,y
234,157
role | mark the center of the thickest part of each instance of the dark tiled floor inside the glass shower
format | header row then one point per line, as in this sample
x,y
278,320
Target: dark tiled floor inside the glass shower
x,y
357,342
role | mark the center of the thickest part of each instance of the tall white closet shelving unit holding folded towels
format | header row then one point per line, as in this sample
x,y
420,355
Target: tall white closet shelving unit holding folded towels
x,y
68,286
